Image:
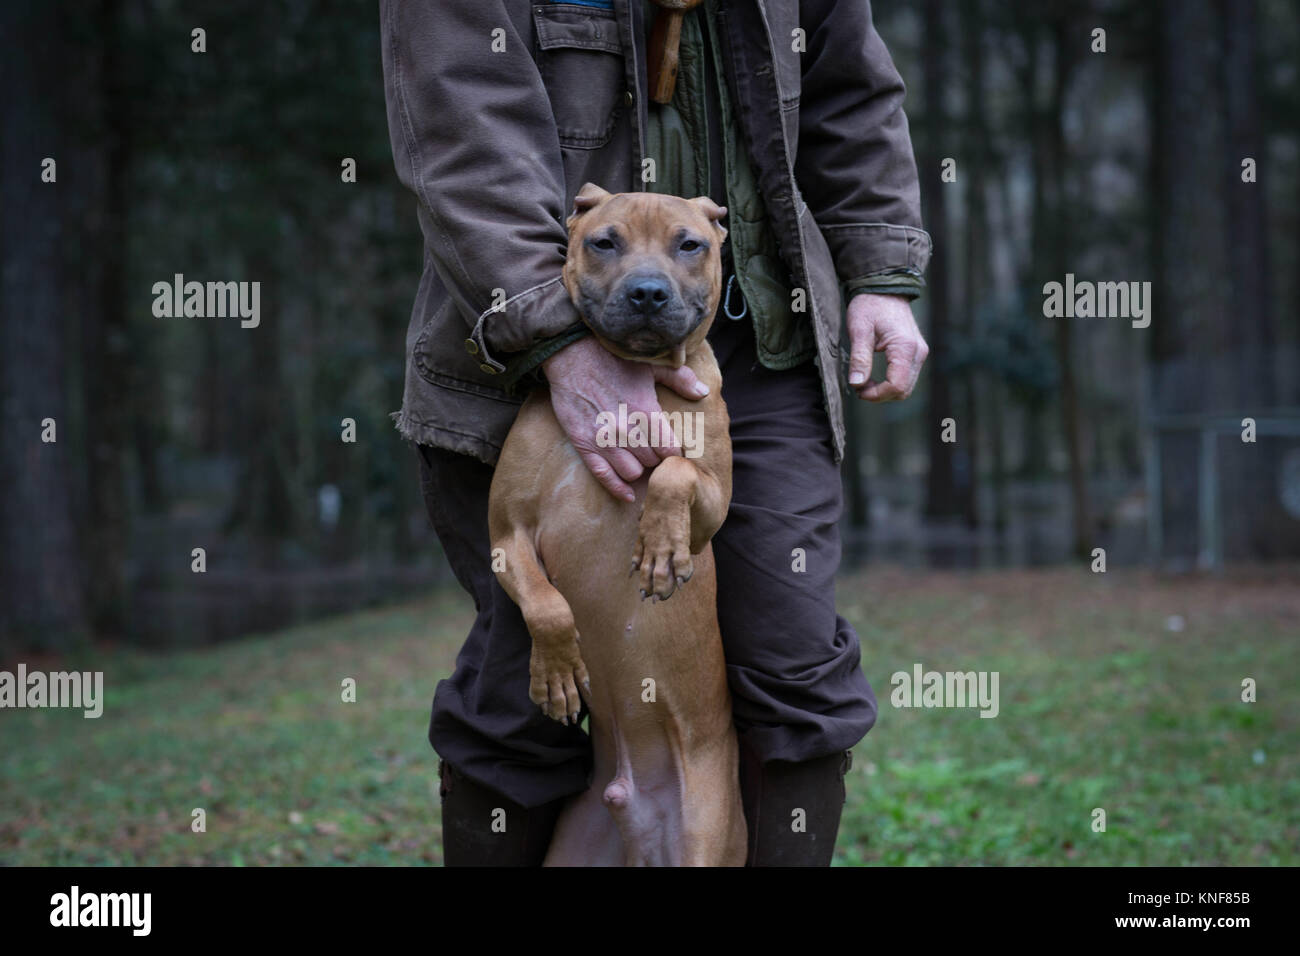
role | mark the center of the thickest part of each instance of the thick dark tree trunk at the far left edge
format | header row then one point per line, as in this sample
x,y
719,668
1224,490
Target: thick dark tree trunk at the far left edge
x,y
44,605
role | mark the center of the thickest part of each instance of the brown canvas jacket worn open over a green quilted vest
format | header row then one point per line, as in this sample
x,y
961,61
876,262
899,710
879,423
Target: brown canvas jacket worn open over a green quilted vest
x,y
501,110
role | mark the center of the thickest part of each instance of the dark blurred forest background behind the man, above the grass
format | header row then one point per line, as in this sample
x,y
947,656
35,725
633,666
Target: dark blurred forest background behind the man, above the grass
x,y
181,434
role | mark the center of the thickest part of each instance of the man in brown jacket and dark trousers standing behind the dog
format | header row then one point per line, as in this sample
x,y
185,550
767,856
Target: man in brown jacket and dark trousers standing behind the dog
x,y
788,113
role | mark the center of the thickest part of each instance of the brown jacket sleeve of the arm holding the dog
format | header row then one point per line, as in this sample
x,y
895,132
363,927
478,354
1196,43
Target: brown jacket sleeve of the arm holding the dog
x,y
474,137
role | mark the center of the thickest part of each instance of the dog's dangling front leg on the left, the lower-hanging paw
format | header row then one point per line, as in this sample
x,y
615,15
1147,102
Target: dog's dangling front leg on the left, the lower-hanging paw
x,y
556,671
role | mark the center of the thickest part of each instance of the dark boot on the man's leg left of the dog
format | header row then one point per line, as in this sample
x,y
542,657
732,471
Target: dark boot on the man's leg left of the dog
x,y
469,812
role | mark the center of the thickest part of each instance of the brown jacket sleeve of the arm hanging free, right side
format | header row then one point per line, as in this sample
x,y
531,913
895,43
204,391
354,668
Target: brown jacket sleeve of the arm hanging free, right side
x,y
856,166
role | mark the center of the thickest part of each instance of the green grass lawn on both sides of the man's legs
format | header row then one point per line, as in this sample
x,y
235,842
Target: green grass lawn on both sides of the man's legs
x,y
1119,691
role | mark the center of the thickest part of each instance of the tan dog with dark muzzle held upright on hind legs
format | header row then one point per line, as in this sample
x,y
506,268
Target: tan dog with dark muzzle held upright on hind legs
x,y
645,274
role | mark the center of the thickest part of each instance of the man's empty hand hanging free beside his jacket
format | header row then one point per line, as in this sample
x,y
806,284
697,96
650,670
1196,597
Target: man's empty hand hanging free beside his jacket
x,y
885,325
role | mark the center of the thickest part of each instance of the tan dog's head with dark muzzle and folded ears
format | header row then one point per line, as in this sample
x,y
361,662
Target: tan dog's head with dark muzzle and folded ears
x,y
645,271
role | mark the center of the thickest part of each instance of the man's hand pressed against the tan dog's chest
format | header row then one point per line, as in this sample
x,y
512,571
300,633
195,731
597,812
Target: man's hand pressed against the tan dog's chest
x,y
586,380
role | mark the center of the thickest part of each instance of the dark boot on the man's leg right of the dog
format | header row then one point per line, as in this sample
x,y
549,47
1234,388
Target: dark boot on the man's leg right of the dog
x,y
773,793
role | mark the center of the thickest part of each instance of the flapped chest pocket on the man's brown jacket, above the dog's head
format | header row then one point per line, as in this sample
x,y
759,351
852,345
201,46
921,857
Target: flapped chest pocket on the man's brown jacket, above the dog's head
x,y
582,64
